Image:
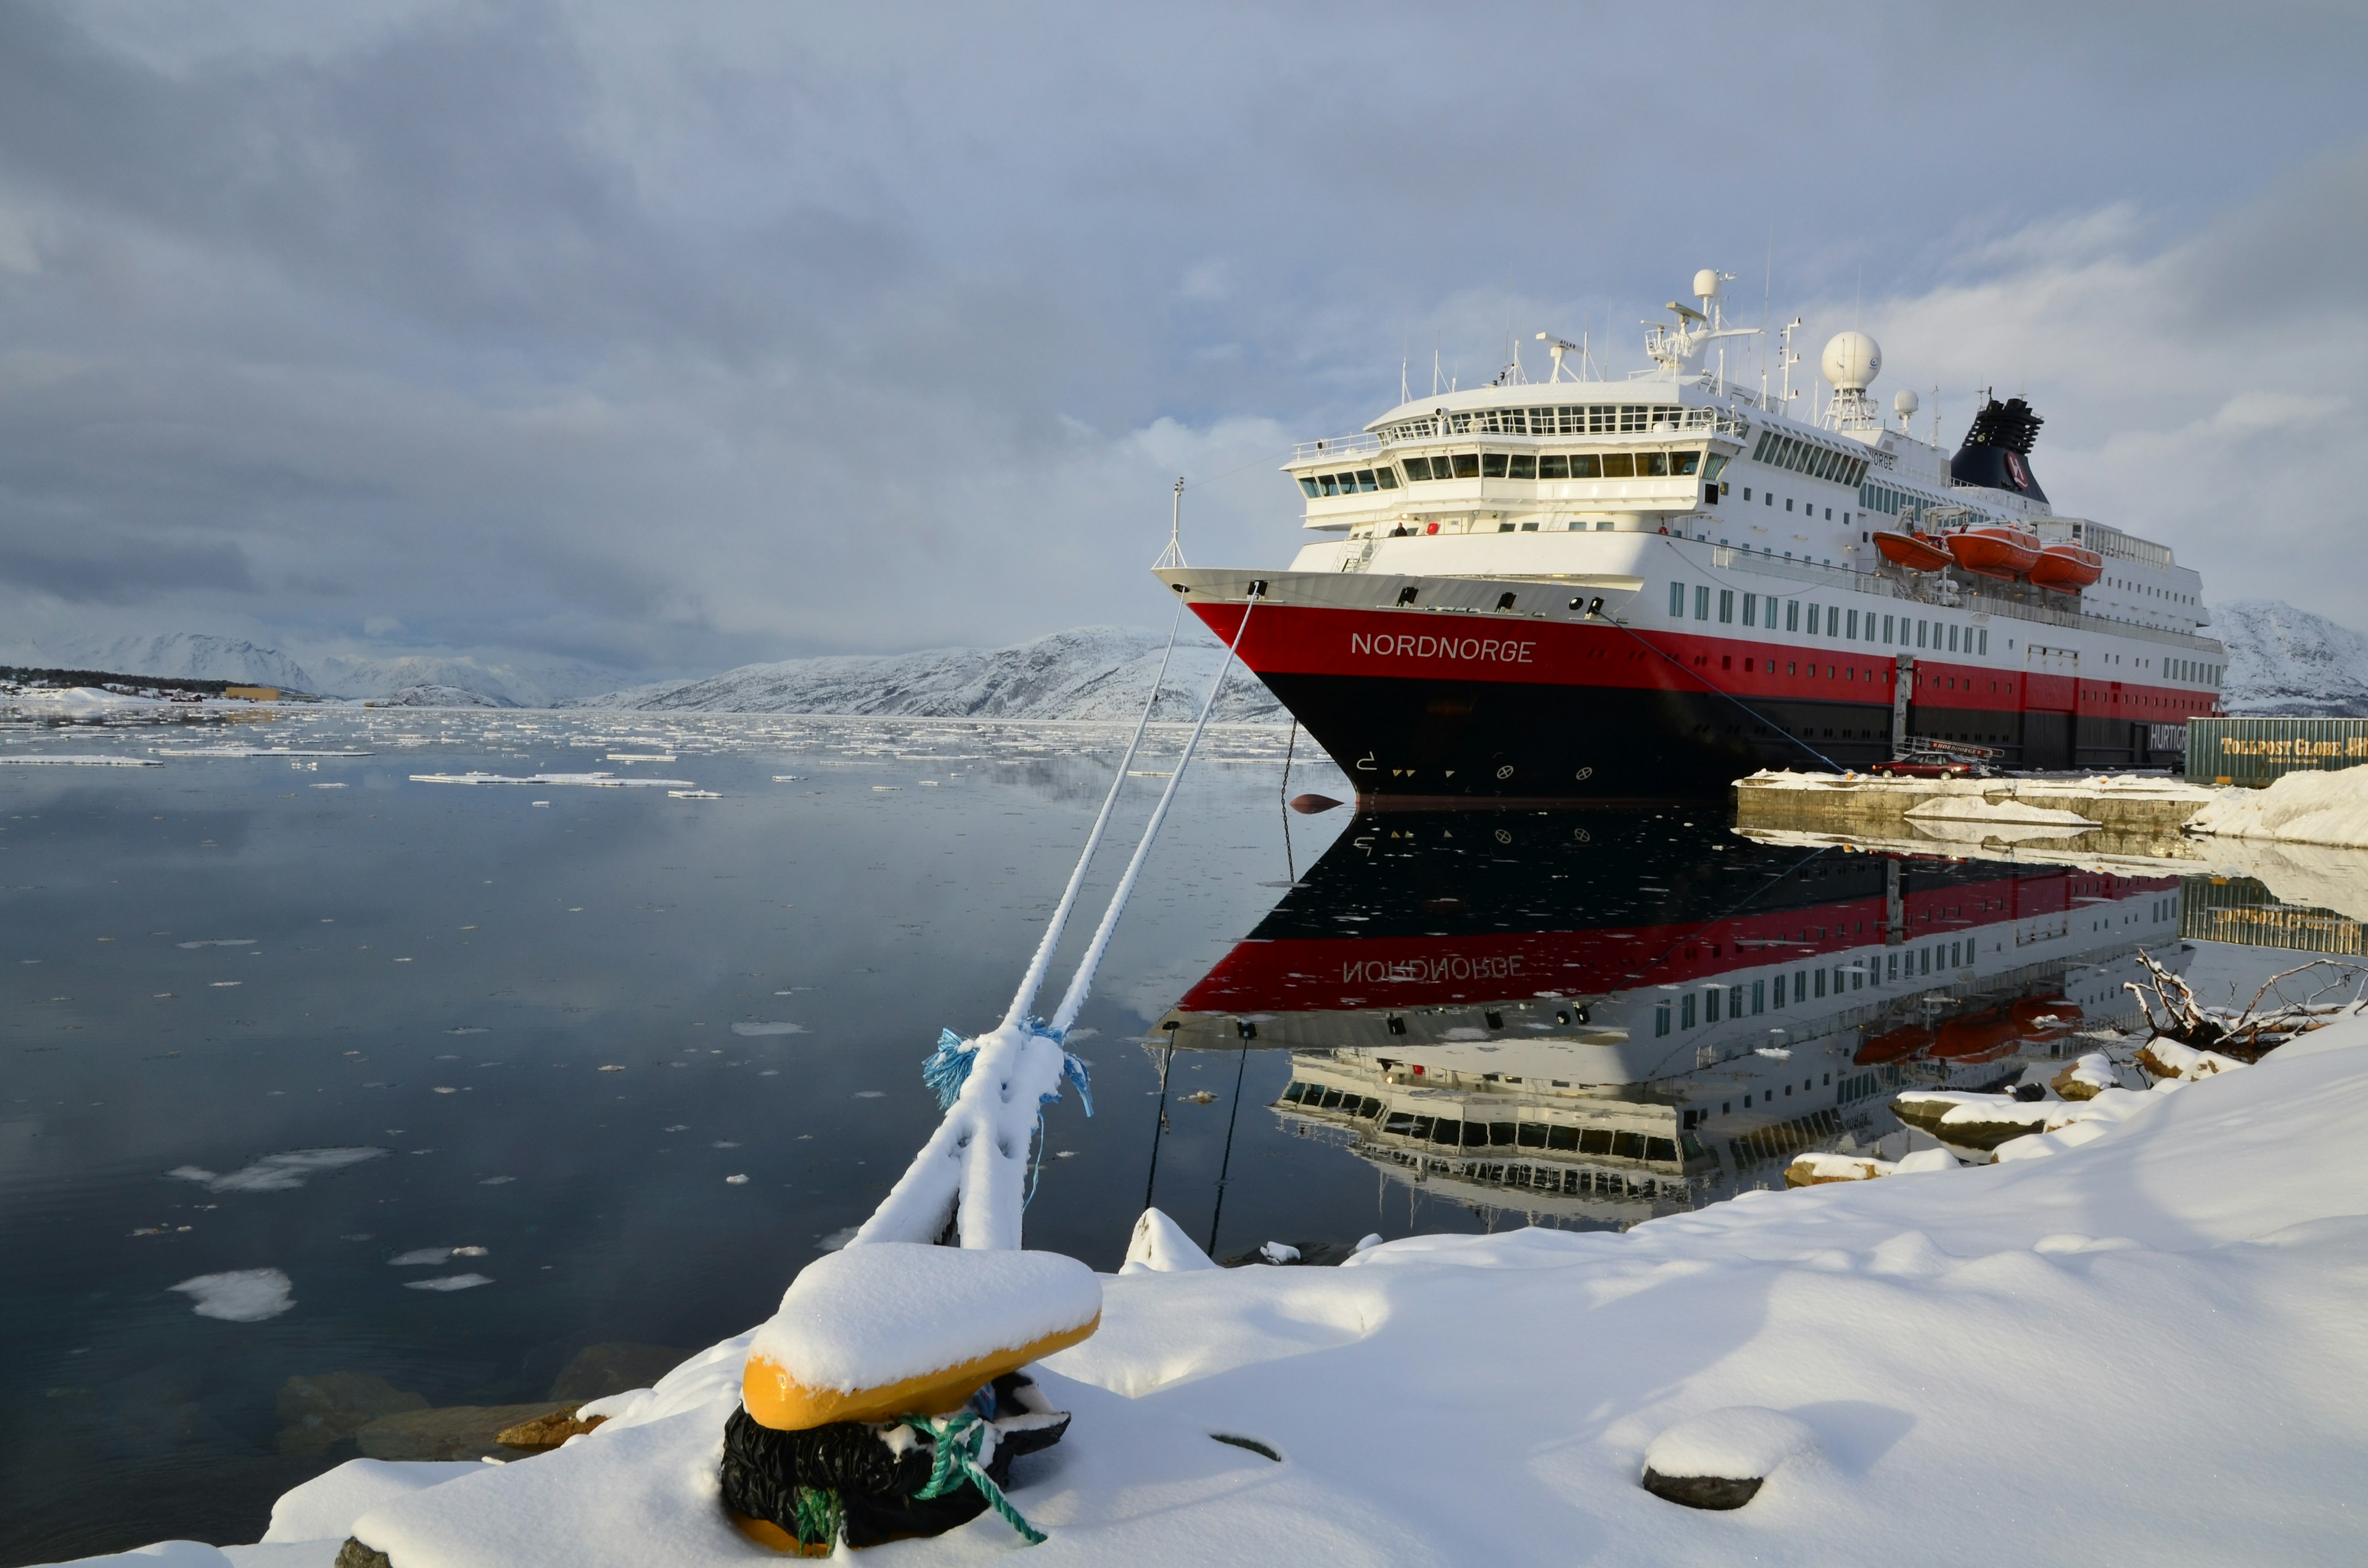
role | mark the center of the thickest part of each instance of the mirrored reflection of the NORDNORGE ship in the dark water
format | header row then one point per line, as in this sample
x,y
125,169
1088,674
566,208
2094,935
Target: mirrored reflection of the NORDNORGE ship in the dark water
x,y
1633,1015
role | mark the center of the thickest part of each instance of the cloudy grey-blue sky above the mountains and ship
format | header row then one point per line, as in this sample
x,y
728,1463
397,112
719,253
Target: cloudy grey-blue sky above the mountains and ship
x,y
676,338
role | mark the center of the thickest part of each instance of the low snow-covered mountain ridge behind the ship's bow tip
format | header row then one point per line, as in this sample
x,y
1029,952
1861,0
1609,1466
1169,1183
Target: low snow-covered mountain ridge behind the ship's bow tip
x,y
1095,671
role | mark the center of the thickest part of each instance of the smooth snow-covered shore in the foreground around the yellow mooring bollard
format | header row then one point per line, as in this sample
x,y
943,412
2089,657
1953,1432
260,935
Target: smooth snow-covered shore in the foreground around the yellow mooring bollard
x,y
2135,1349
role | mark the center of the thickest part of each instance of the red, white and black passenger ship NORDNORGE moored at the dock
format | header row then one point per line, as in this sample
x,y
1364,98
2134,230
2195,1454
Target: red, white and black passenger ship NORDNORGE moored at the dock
x,y
1585,589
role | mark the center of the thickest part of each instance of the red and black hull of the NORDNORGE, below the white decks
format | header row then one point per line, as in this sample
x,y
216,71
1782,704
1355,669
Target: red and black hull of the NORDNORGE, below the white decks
x,y
1472,707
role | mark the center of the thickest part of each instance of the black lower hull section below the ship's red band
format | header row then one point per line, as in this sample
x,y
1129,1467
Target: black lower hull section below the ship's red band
x,y
1510,743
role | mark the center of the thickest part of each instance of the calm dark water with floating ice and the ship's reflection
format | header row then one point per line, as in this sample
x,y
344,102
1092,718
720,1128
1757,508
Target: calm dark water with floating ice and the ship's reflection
x,y
558,1022
